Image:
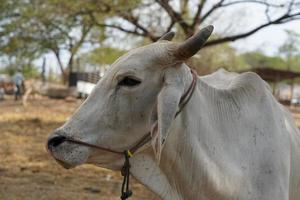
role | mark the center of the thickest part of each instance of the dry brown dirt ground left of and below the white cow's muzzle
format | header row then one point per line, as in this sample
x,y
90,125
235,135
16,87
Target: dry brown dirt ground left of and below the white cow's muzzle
x,y
27,171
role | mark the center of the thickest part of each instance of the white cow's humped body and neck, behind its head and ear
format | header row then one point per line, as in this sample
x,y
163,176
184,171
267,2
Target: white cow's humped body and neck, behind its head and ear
x,y
232,141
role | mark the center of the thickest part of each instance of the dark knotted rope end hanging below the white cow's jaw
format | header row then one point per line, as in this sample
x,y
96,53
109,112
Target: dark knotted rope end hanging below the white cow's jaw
x,y
125,191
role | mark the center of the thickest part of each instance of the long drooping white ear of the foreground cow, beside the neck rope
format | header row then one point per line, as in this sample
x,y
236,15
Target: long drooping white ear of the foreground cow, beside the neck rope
x,y
167,106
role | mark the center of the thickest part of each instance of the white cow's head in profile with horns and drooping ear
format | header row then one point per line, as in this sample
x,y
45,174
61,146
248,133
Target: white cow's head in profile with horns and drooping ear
x,y
143,87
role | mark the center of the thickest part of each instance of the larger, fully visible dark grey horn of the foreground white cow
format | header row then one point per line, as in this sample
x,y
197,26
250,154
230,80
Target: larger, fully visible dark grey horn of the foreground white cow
x,y
192,45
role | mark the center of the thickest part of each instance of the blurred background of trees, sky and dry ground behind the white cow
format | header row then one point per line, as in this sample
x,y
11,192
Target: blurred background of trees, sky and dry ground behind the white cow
x,y
53,52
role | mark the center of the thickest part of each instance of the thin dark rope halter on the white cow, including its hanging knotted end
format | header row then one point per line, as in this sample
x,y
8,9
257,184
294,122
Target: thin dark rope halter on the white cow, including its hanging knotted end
x,y
125,171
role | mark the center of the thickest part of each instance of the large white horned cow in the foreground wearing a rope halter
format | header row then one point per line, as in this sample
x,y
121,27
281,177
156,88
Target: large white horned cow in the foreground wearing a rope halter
x,y
232,140
